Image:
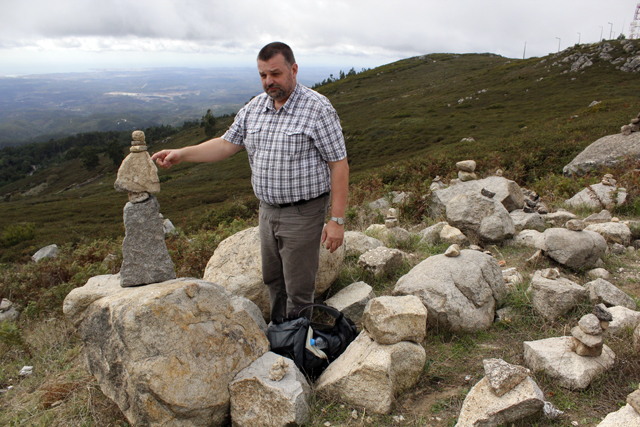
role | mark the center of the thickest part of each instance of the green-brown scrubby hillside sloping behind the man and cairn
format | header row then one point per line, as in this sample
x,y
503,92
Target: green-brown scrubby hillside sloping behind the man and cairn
x,y
529,117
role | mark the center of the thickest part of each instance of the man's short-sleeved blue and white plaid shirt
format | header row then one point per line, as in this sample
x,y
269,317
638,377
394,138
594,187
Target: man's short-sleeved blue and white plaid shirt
x,y
289,148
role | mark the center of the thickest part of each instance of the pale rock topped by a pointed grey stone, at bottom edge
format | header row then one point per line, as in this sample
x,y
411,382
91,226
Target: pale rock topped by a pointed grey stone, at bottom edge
x,y
506,394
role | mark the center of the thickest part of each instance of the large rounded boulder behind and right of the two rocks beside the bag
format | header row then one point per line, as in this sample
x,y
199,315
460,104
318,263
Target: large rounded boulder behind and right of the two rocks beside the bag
x,y
460,293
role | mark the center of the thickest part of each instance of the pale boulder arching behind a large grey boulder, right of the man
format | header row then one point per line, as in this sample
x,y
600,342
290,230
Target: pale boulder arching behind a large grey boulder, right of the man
x,y
506,192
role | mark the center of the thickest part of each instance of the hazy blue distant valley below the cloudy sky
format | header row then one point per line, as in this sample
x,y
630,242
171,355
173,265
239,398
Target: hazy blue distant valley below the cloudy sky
x,y
41,107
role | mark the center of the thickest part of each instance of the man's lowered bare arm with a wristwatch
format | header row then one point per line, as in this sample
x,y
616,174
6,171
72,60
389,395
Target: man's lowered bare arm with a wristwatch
x,y
333,233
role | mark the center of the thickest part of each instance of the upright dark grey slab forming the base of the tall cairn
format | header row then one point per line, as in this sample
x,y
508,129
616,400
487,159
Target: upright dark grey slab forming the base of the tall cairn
x,y
145,258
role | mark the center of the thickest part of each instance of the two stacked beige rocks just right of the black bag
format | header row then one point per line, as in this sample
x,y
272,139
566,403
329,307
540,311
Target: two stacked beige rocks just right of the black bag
x,y
385,359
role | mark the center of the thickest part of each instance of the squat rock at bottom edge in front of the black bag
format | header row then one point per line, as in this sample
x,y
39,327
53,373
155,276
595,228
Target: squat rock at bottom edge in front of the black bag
x,y
258,400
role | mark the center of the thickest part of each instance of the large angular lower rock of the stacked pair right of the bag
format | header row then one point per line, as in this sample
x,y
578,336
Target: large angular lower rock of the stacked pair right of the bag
x,y
371,375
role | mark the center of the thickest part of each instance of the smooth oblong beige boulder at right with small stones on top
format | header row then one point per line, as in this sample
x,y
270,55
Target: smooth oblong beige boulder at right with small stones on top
x,y
574,249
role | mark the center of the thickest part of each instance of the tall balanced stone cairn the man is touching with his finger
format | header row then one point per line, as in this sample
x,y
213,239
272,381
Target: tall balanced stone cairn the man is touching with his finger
x,y
145,256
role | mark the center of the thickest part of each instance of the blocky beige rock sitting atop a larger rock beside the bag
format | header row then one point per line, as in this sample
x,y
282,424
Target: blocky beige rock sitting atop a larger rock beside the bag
x,y
389,320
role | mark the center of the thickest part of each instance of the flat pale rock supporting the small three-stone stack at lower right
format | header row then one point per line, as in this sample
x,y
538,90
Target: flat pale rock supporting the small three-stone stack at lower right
x,y
556,358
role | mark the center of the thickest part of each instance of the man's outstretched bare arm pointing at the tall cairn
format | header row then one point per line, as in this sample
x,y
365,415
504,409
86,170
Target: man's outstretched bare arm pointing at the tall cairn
x,y
212,150
